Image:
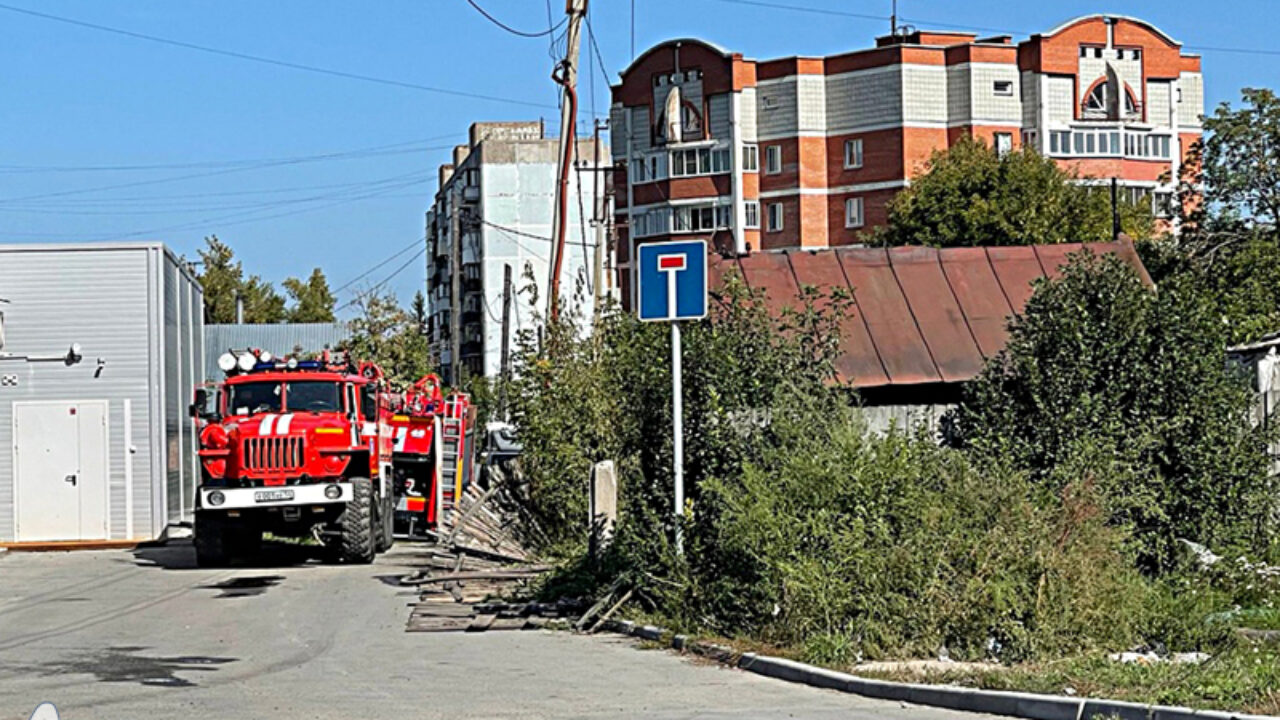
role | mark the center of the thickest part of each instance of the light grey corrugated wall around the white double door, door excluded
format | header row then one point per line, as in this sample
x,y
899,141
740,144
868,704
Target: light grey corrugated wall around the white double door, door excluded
x,y
111,299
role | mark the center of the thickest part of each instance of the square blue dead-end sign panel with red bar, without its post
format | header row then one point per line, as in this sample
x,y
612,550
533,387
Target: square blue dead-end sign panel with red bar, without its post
x,y
673,281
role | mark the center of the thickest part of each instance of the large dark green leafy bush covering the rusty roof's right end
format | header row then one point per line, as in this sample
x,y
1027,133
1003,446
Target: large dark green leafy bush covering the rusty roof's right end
x,y
1107,379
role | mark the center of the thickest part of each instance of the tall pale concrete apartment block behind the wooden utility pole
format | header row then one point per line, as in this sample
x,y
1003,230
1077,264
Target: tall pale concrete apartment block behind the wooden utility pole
x,y
501,188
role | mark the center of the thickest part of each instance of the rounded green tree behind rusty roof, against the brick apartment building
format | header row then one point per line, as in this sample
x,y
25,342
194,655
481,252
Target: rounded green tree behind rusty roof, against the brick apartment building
x,y
970,195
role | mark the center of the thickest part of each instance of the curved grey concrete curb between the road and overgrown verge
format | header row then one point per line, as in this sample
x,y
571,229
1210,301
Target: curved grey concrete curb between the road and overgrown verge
x,y
1031,707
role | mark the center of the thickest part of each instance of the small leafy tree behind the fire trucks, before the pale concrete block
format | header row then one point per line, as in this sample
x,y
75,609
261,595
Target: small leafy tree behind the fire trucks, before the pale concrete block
x,y
385,334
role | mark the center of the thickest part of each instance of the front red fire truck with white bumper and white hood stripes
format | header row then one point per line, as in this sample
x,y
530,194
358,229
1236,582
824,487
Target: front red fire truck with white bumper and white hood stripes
x,y
295,448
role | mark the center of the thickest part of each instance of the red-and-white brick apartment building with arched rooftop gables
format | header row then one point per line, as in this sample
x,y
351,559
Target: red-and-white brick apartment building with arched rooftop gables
x,y
807,152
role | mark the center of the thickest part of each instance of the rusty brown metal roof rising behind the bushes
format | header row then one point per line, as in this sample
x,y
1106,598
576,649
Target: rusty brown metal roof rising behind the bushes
x,y
920,315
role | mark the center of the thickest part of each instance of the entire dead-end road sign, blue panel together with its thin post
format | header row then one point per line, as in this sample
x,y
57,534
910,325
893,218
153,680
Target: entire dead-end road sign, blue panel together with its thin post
x,y
682,295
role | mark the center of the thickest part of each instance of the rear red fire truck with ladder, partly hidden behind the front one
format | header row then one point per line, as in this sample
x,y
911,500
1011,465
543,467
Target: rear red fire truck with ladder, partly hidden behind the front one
x,y
432,454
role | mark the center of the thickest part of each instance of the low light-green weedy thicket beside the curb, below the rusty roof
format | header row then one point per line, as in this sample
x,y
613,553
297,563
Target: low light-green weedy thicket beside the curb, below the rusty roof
x,y
894,548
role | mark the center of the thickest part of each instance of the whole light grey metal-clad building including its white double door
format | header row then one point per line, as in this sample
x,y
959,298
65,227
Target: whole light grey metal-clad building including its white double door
x,y
100,353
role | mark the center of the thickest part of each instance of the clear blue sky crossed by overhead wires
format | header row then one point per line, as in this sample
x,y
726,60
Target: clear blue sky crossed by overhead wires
x,y
299,170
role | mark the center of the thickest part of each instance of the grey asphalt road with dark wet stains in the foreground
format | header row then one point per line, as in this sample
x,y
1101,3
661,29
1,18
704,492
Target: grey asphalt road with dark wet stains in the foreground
x,y
145,635
